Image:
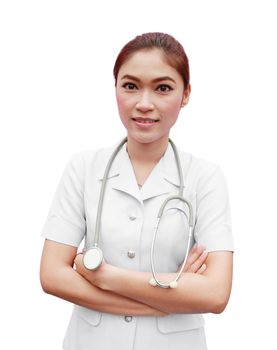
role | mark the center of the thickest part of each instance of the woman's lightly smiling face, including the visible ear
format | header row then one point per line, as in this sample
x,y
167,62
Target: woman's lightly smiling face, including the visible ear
x,y
149,95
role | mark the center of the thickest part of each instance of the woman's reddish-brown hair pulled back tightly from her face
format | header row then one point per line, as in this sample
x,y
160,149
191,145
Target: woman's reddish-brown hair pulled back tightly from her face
x,y
174,53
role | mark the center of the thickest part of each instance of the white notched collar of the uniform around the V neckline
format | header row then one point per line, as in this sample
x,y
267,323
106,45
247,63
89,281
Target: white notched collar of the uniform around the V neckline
x,y
163,178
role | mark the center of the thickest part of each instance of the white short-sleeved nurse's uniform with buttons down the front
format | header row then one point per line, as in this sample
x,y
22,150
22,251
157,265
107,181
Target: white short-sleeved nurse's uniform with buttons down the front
x,y
128,219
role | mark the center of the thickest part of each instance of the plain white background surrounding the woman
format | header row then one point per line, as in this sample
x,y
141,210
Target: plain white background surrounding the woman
x,y
57,98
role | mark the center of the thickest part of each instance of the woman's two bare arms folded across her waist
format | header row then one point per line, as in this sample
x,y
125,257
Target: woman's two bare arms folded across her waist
x,y
204,287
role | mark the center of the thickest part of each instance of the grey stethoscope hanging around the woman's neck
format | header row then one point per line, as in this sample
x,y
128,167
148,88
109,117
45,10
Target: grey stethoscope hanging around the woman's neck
x,y
93,256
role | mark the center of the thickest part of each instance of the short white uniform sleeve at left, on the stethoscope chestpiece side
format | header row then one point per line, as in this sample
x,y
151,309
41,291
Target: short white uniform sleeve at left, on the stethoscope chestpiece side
x,y
66,221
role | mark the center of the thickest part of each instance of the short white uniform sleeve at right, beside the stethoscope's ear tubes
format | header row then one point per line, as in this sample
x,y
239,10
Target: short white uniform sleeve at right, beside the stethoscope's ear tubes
x,y
213,219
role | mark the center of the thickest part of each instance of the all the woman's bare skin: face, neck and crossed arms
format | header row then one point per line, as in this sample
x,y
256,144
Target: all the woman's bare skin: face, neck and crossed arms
x,y
149,105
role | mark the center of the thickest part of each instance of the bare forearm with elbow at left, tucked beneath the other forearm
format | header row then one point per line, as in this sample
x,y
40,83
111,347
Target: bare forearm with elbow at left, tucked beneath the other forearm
x,y
67,284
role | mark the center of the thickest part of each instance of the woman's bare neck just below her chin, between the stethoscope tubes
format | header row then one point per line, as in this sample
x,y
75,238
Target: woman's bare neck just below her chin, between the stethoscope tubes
x,y
146,152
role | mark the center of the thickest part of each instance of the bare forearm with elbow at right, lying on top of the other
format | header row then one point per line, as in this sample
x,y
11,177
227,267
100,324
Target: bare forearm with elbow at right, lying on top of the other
x,y
208,292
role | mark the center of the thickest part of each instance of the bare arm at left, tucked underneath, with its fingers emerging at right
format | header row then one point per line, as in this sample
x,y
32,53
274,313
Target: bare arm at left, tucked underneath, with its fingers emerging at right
x,y
58,275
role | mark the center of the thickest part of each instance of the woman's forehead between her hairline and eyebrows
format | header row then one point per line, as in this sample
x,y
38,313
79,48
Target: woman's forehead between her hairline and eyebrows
x,y
148,63
